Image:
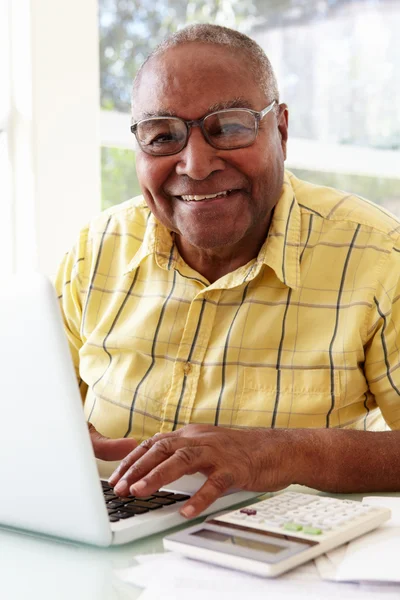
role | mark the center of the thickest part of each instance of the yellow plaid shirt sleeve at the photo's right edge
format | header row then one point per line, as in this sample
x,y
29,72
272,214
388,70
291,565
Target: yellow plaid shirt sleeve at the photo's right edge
x,y
382,353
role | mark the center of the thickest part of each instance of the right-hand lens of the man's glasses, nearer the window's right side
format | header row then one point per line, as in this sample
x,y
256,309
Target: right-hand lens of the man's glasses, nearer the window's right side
x,y
231,128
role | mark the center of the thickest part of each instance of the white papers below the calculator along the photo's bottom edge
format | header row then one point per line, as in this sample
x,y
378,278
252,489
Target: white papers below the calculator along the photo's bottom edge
x,y
172,577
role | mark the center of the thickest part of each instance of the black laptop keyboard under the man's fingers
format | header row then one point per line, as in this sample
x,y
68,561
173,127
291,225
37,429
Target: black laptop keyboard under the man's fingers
x,y
125,508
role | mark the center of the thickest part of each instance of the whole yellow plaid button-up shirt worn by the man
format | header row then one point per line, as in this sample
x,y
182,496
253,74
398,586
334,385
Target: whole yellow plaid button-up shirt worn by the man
x,y
304,335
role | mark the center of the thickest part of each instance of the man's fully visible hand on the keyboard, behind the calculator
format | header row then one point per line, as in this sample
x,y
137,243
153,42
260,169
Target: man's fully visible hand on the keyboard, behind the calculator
x,y
258,460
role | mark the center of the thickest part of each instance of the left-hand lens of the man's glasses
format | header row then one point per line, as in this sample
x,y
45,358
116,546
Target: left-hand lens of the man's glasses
x,y
162,135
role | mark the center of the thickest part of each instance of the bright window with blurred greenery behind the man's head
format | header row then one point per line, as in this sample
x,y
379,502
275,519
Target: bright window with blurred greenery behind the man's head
x,y
337,64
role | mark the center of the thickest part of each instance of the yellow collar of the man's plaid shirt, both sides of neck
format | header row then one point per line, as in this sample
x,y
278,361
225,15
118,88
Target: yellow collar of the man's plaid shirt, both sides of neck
x,y
281,250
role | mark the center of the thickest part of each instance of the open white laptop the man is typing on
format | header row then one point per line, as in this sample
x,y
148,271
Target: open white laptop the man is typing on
x,y
50,480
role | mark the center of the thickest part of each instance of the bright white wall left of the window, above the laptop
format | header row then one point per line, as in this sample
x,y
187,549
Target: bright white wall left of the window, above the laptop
x,y
54,142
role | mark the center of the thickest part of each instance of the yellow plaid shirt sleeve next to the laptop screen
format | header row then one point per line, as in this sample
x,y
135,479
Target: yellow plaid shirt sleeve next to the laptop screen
x,y
70,283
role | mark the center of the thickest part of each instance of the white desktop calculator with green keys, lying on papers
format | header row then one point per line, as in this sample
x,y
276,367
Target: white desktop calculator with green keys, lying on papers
x,y
274,535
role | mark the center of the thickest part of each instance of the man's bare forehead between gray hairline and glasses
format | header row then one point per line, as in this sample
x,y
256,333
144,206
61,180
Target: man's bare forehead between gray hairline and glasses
x,y
190,82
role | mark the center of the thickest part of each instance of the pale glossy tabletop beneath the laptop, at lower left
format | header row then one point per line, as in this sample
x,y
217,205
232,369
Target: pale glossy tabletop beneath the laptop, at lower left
x,y
32,567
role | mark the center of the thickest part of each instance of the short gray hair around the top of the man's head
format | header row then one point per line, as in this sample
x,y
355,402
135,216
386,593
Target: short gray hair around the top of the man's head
x,y
207,33
